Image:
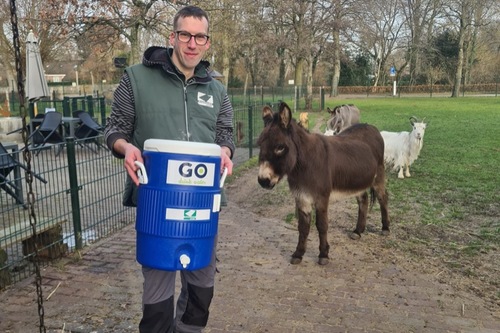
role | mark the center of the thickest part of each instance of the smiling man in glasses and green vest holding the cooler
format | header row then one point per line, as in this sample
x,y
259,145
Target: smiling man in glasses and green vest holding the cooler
x,y
171,95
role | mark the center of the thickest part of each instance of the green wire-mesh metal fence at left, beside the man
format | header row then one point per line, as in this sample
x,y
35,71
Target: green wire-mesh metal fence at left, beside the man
x,y
80,203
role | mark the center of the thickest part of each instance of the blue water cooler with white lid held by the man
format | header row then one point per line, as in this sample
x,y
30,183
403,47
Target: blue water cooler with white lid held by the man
x,y
178,204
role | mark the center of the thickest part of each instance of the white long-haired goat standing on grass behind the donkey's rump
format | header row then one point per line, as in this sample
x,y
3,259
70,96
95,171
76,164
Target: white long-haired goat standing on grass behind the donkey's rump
x,y
402,149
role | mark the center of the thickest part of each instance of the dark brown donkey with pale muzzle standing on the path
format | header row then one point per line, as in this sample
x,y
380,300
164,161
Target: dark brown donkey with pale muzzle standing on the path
x,y
318,166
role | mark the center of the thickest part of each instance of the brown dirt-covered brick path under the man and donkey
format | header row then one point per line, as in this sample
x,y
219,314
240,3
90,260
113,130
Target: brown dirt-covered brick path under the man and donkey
x,y
369,286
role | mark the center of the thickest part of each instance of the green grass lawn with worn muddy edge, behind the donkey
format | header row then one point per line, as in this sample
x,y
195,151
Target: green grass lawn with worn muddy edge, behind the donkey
x,y
450,207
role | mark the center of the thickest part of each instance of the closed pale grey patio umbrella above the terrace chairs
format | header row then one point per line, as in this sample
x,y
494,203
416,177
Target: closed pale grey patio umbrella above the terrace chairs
x,y
36,84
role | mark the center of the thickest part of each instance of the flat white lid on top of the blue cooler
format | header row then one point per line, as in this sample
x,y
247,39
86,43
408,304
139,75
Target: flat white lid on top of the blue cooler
x,y
182,147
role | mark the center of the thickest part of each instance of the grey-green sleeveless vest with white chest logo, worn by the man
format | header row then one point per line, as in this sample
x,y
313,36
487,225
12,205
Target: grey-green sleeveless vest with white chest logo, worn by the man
x,y
166,108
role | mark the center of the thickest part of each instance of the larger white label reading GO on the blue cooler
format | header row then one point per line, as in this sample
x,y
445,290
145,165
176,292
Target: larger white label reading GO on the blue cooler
x,y
190,173
